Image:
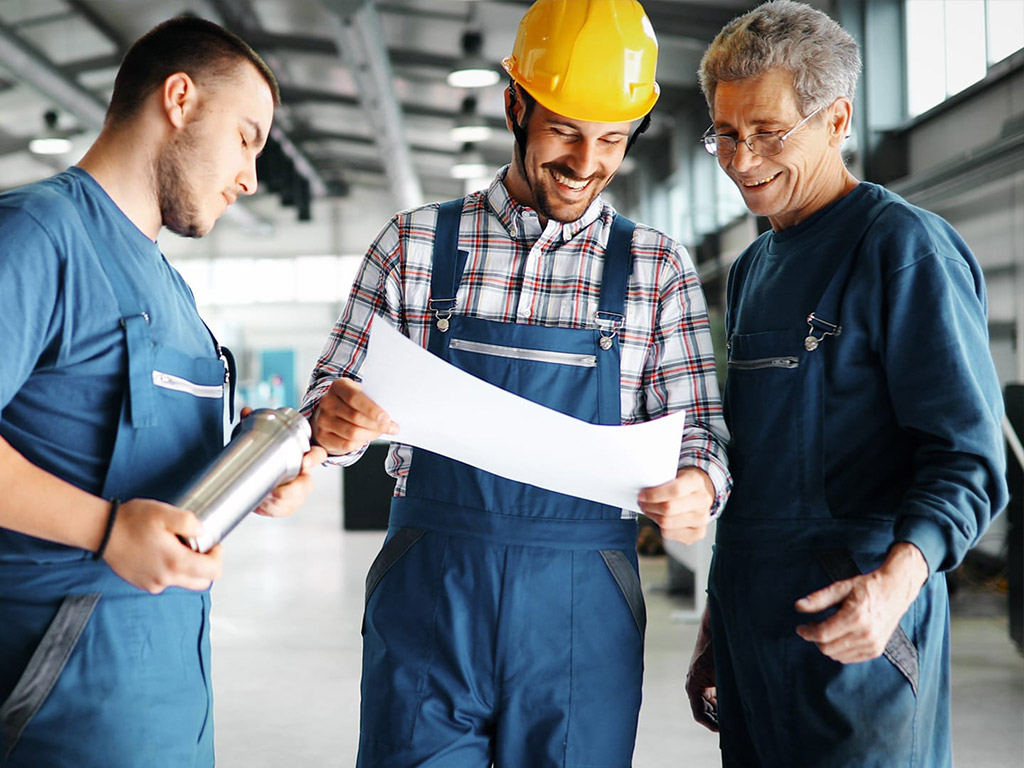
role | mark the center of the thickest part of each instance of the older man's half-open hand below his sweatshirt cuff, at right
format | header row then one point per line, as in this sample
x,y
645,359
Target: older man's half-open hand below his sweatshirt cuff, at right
x,y
870,607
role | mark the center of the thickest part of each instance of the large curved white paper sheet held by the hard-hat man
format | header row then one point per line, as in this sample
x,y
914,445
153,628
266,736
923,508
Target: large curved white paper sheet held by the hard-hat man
x,y
443,409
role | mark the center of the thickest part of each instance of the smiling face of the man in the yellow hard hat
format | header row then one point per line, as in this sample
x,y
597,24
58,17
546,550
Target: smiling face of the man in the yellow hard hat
x,y
568,163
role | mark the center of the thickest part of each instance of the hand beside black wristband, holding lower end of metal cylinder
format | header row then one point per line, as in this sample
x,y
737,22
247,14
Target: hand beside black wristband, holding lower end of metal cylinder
x,y
146,551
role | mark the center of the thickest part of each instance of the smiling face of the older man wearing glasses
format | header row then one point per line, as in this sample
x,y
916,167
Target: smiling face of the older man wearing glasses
x,y
808,175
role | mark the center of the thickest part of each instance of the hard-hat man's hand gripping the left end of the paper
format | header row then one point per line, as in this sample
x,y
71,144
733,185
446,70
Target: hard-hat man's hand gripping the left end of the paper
x,y
347,419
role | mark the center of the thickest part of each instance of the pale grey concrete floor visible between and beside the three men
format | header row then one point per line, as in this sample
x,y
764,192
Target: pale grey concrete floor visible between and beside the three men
x,y
286,655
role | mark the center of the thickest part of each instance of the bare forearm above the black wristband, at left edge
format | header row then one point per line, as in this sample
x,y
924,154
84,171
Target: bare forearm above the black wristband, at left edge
x,y
39,504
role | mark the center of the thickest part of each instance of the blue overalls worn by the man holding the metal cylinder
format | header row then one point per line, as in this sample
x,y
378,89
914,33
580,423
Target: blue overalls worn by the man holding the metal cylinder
x,y
116,677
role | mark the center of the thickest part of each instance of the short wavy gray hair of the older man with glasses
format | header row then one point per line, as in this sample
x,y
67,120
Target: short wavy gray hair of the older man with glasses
x,y
822,56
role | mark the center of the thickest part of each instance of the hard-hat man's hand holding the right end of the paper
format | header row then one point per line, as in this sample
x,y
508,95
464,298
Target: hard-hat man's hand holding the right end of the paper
x,y
681,507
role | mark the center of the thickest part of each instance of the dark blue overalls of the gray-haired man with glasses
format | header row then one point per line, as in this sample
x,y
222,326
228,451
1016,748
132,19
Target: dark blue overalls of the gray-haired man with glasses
x,y
782,703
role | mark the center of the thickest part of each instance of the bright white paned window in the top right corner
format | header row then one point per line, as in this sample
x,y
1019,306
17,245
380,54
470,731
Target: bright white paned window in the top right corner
x,y
951,45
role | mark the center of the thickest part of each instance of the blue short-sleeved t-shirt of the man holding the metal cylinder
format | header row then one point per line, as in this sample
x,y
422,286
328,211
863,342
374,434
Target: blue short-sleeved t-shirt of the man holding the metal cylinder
x,y
63,372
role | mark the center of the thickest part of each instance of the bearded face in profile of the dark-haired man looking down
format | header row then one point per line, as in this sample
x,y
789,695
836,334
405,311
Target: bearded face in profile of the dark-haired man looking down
x,y
212,158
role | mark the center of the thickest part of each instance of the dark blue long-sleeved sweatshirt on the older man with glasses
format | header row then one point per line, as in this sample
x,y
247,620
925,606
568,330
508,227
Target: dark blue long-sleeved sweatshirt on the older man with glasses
x,y
913,404
